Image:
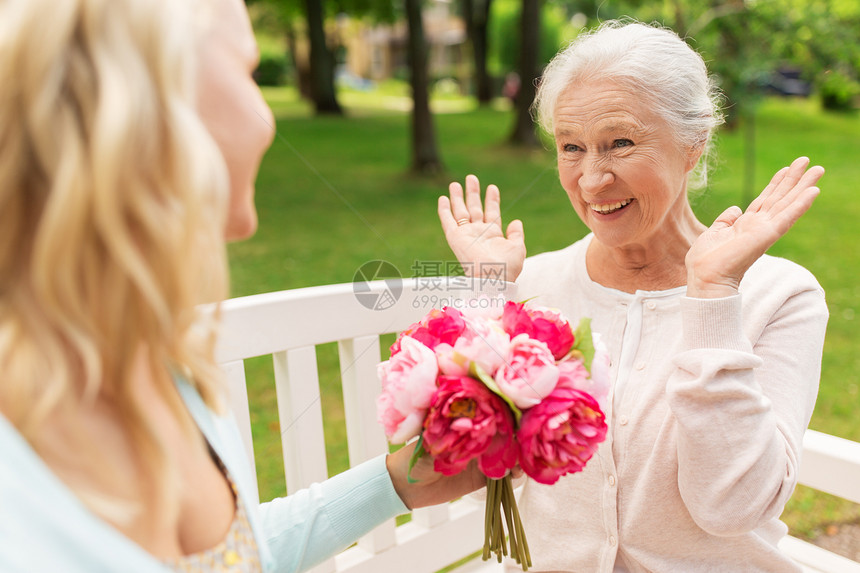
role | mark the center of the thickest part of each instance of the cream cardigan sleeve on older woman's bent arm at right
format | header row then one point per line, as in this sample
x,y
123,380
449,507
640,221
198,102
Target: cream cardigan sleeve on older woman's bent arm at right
x,y
742,406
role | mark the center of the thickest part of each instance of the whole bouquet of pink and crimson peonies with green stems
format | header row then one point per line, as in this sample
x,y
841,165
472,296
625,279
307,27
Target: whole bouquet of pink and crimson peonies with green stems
x,y
514,385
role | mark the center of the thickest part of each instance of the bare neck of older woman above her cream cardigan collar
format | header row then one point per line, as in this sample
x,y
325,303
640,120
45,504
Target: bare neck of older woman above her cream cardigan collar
x,y
654,265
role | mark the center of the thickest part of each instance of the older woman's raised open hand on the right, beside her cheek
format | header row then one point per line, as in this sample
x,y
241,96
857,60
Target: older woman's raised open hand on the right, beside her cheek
x,y
721,255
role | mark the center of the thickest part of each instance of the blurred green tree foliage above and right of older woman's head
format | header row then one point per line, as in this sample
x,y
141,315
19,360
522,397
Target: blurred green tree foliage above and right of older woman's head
x,y
744,41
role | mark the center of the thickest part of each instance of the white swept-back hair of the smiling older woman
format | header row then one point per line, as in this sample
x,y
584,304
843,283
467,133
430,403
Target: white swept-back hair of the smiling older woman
x,y
652,62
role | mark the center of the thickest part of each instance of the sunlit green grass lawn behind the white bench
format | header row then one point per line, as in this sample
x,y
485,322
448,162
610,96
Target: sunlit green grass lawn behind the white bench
x,y
334,193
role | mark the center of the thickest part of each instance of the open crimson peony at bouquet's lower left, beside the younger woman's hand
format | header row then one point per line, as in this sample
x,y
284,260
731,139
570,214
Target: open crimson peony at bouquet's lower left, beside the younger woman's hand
x,y
467,421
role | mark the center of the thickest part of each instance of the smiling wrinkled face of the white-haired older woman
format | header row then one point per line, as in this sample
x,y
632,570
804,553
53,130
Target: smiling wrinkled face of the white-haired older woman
x,y
620,165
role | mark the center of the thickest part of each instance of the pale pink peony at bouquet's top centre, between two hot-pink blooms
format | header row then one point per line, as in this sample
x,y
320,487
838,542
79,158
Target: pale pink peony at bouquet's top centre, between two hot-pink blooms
x,y
482,341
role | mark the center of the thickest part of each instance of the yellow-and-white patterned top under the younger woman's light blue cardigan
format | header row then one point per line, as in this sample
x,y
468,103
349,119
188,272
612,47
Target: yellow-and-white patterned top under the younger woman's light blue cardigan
x,y
238,553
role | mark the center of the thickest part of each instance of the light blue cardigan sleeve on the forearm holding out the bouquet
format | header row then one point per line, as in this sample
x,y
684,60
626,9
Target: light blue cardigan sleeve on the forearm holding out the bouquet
x,y
307,527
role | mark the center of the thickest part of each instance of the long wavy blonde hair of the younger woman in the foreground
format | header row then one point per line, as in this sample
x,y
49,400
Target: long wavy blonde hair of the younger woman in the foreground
x,y
112,207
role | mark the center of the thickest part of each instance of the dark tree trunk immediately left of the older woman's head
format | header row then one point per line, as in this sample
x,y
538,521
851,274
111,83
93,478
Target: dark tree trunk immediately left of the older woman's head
x,y
524,127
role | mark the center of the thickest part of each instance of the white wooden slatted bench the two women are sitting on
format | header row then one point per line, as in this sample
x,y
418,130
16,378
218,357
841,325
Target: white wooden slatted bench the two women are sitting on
x,y
288,325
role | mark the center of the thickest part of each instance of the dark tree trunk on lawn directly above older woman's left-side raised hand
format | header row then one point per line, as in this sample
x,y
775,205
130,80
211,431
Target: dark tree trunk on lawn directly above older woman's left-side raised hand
x,y
425,157
